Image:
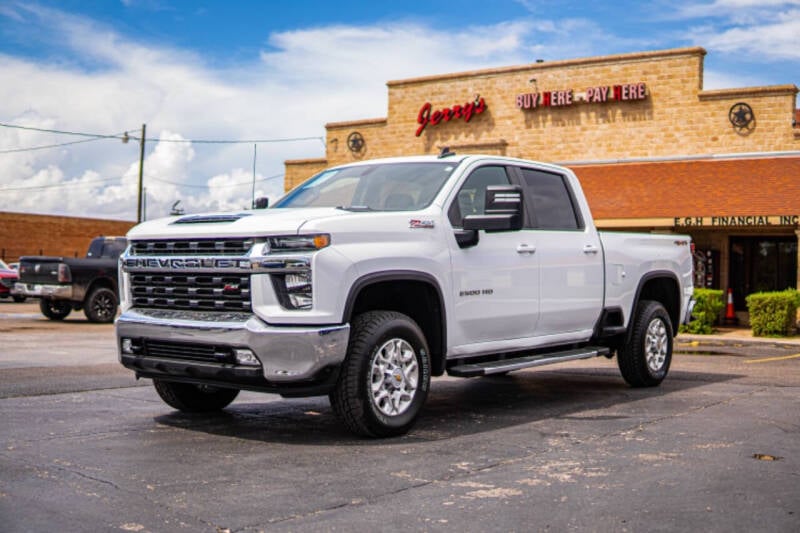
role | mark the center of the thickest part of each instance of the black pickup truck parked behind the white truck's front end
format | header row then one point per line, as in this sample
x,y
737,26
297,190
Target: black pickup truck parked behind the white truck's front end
x,y
64,283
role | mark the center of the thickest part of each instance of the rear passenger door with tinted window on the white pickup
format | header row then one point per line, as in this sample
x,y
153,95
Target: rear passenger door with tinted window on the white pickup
x,y
570,257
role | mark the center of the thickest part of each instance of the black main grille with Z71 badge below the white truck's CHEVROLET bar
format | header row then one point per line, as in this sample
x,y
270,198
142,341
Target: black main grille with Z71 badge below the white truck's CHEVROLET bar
x,y
200,292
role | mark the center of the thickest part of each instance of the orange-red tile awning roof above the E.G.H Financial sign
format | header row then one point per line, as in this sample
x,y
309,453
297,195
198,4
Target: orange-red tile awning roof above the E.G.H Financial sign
x,y
731,187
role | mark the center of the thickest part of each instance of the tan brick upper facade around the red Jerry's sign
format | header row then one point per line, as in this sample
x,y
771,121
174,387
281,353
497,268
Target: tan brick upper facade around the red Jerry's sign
x,y
677,118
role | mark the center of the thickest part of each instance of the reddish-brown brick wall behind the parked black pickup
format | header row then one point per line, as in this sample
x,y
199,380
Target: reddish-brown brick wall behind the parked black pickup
x,y
25,234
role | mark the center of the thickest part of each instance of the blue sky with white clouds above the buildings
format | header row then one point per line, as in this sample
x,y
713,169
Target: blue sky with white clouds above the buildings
x,y
277,72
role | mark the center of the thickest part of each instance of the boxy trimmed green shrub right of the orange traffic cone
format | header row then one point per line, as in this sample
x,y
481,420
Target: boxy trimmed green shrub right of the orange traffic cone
x,y
773,314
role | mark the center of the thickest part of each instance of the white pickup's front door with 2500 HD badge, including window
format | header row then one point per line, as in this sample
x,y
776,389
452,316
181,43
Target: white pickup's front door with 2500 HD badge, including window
x,y
496,281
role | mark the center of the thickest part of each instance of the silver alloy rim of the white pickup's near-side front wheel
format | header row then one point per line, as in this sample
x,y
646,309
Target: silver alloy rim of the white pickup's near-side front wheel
x,y
394,377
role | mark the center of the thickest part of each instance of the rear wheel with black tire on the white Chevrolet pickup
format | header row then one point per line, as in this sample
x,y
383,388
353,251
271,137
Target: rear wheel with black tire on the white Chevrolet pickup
x,y
645,360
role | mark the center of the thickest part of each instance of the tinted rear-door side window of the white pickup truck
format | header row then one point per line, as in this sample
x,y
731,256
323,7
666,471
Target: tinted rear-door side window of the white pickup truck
x,y
550,199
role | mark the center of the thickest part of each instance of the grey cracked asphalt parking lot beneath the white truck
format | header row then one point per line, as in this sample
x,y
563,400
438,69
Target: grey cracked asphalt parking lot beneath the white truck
x,y
84,447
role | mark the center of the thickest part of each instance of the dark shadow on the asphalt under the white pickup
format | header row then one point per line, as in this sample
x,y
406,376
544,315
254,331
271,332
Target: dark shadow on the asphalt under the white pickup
x,y
457,407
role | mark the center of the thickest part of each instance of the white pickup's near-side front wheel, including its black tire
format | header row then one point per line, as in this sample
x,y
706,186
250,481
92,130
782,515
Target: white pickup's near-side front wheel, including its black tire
x,y
376,379
